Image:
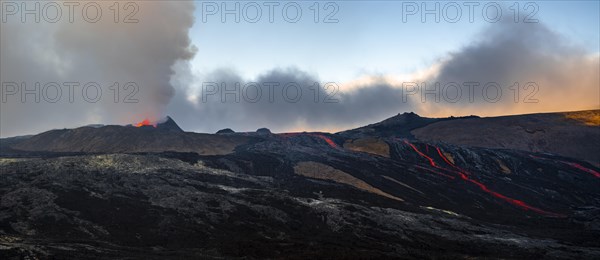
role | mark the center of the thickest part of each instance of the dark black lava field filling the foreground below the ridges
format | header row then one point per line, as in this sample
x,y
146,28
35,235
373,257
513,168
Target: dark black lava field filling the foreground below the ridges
x,y
252,205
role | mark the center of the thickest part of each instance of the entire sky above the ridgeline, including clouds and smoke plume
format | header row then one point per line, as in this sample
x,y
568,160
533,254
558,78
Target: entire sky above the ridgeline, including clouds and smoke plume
x,y
349,64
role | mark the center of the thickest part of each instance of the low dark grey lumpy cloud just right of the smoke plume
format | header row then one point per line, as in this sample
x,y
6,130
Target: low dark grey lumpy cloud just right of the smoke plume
x,y
332,111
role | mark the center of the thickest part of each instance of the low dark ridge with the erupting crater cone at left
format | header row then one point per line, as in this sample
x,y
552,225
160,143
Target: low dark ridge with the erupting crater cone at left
x,y
165,136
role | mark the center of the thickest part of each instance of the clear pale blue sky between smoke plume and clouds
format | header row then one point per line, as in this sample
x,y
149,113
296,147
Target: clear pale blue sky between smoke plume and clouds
x,y
369,38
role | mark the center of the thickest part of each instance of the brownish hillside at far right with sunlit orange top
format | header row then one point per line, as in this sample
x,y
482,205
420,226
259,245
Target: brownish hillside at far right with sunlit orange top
x,y
573,134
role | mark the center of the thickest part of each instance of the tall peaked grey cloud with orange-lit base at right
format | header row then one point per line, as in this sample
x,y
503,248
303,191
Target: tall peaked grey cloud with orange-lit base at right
x,y
507,52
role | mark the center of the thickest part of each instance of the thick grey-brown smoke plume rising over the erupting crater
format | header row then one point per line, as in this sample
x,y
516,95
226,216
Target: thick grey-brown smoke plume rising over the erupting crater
x,y
104,52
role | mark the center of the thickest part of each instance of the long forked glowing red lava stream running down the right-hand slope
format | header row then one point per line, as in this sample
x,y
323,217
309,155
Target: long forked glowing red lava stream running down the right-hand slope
x,y
463,175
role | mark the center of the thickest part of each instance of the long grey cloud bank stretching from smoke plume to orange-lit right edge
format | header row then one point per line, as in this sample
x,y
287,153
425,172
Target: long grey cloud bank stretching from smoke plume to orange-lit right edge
x,y
552,74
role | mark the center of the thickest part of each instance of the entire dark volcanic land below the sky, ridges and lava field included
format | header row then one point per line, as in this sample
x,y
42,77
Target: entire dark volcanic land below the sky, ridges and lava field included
x,y
387,190
